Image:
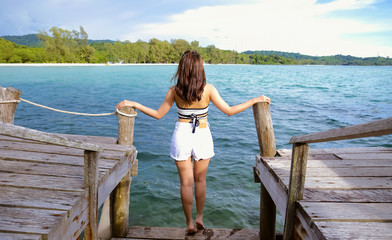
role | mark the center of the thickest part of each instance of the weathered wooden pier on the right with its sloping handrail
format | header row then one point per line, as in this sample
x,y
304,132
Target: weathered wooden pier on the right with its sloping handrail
x,y
331,193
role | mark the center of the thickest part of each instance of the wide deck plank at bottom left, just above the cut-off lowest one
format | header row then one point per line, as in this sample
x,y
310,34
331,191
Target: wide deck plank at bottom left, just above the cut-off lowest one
x,y
28,220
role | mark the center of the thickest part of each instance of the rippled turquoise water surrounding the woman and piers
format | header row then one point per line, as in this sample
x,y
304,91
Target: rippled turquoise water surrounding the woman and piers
x,y
305,99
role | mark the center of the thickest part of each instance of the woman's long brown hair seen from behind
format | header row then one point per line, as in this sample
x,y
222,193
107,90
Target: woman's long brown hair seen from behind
x,y
190,76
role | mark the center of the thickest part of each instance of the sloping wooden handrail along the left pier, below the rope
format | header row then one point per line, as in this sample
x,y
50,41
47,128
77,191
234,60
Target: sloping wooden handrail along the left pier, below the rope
x,y
31,134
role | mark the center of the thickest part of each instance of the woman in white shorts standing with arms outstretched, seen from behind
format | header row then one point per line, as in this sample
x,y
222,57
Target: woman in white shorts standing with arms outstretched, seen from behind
x,y
192,136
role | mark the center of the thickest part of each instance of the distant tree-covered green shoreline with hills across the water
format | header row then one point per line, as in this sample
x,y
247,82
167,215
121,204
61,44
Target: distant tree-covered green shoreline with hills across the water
x,y
64,46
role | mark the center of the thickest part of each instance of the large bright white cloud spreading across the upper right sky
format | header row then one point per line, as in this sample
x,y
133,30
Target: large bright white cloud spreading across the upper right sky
x,y
295,26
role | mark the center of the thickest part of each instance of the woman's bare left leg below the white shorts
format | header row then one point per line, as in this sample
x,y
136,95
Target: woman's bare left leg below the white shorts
x,y
185,170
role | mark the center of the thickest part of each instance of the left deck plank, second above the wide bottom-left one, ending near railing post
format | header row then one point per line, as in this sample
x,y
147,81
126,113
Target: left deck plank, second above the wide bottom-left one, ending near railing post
x,y
41,182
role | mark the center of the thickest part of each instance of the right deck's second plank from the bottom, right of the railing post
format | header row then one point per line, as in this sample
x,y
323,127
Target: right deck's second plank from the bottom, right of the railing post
x,y
352,212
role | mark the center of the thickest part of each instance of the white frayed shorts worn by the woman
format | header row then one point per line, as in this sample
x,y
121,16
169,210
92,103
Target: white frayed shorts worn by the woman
x,y
184,143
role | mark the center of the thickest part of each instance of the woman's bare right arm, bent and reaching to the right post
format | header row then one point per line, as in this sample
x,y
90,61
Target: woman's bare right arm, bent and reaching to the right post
x,y
217,100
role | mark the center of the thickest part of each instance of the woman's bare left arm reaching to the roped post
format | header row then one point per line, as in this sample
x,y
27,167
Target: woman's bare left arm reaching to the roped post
x,y
157,114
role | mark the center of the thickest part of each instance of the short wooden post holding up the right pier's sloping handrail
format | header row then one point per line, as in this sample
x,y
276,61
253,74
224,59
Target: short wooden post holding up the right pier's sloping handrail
x,y
296,186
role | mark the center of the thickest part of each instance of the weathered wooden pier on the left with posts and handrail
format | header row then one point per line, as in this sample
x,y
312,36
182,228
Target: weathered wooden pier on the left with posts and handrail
x,y
51,185
